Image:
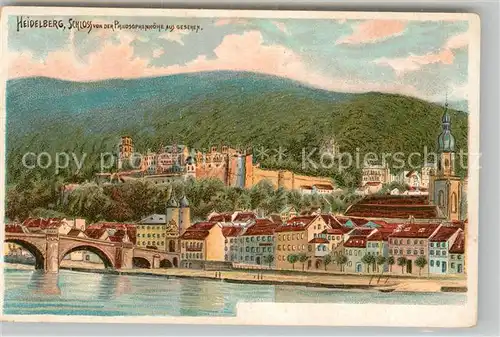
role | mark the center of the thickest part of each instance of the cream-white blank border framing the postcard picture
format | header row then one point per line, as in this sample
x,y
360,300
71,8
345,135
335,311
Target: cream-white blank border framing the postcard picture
x,y
297,313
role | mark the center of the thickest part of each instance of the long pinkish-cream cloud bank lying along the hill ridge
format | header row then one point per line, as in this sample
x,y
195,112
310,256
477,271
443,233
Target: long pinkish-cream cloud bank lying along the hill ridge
x,y
236,52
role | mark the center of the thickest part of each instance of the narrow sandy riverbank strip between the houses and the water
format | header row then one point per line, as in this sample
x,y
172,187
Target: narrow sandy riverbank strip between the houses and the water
x,y
384,283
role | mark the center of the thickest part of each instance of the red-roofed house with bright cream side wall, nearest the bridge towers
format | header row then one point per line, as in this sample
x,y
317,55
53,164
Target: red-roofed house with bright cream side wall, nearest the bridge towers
x,y
203,241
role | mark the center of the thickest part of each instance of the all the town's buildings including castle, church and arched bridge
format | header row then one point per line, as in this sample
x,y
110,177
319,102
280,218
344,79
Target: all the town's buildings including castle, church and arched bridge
x,y
419,231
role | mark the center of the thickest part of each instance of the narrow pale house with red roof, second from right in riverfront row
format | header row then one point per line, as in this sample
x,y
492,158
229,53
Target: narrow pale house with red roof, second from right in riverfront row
x,y
440,244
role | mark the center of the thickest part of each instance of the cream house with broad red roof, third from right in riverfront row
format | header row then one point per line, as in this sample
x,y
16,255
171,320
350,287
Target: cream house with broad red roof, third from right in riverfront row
x,y
411,241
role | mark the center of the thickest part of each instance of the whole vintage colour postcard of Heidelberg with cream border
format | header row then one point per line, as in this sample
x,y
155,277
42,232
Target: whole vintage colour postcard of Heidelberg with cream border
x,y
239,167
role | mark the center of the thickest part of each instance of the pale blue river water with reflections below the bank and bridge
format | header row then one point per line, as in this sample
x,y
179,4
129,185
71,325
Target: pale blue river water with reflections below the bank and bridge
x,y
30,292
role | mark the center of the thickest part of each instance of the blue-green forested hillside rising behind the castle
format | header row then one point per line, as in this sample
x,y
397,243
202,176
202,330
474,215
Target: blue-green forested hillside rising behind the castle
x,y
240,109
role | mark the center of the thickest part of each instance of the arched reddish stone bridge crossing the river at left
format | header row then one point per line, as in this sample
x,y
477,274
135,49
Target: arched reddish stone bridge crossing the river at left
x,y
50,248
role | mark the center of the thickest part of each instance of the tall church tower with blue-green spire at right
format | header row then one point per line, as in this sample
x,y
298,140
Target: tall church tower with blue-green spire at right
x,y
446,188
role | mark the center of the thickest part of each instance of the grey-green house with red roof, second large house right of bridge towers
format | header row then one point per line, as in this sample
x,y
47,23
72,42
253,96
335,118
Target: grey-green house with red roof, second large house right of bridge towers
x,y
256,243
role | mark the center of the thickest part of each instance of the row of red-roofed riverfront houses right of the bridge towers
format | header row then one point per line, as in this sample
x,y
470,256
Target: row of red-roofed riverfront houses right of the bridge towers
x,y
327,242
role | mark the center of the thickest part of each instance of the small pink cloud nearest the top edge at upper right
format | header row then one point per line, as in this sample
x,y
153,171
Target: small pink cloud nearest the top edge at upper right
x,y
373,31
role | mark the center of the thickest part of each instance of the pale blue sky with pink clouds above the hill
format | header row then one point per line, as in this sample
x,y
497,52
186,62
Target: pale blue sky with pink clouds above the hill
x,y
425,59
